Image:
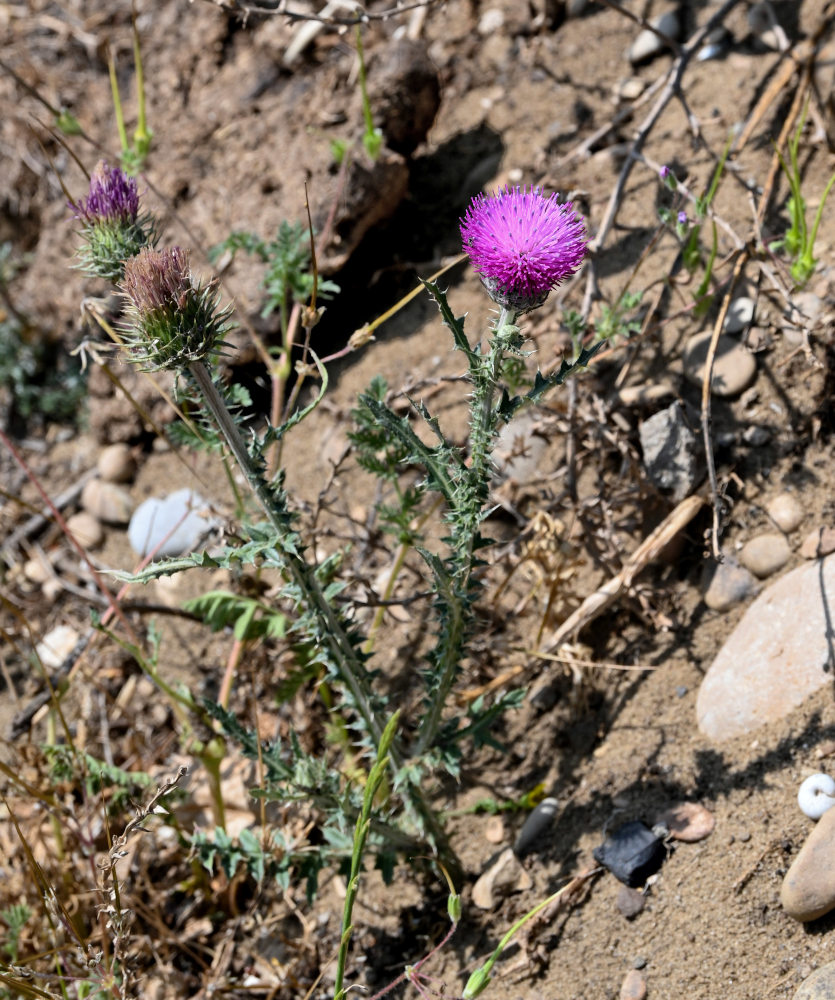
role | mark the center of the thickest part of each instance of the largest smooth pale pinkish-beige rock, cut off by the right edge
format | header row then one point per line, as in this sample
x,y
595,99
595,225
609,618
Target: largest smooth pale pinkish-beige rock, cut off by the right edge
x,y
780,653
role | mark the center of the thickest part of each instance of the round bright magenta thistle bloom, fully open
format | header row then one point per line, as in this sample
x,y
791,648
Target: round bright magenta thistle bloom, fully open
x,y
522,244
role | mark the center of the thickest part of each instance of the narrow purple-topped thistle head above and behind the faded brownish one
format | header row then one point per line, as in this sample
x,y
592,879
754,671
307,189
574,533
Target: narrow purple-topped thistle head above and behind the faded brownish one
x,y
112,226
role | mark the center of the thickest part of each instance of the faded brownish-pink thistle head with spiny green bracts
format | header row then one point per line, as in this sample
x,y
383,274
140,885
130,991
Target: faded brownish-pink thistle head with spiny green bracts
x,y
173,320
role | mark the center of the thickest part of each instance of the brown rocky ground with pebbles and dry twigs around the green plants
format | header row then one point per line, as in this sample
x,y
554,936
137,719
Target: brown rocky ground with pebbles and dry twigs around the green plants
x,y
663,685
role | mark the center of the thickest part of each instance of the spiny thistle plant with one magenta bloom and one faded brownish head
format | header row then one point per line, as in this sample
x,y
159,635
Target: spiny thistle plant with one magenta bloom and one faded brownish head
x,y
522,243
